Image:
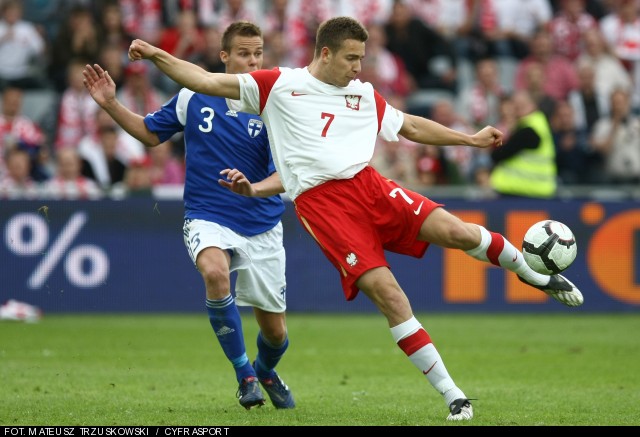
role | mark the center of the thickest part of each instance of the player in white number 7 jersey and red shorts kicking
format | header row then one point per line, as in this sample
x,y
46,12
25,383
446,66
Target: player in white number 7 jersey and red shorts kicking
x,y
322,125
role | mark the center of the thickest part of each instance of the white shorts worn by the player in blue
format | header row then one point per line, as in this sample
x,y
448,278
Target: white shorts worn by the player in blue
x,y
259,260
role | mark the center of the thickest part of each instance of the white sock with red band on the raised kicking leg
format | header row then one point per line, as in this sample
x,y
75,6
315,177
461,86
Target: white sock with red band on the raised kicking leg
x,y
497,250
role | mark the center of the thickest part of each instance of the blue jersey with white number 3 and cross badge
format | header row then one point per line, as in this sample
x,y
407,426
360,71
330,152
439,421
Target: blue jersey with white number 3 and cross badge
x,y
217,137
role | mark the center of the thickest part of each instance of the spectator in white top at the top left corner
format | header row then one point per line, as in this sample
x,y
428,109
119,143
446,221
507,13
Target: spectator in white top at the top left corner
x,y
22,49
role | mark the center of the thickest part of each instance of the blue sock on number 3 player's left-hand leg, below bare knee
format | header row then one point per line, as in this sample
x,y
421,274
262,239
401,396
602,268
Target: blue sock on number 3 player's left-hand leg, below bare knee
x,y
227,325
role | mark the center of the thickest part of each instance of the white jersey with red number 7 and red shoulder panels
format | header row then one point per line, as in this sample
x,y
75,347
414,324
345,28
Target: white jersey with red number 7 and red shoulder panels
x,y
317,132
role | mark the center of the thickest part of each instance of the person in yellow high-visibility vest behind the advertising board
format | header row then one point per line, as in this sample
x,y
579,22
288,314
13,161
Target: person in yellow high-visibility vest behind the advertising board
x,y
525,165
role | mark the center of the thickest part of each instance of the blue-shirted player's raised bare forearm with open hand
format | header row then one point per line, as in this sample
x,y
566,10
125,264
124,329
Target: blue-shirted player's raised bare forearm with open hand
x,y
103,90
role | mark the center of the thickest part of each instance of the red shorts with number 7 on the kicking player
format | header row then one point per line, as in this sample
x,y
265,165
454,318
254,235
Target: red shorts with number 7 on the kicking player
x,y
355,220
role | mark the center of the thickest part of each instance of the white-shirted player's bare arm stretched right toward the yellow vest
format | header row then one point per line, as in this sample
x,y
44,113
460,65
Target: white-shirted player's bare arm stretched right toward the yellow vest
x,y
424,131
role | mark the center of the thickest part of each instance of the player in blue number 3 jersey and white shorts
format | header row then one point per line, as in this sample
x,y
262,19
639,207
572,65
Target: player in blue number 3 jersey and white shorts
x,y
225,232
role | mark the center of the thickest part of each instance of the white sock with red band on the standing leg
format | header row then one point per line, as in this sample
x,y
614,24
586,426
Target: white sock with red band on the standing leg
x,y
416,343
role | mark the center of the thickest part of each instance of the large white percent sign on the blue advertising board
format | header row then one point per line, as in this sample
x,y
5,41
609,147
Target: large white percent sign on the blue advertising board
x,y
27,234
